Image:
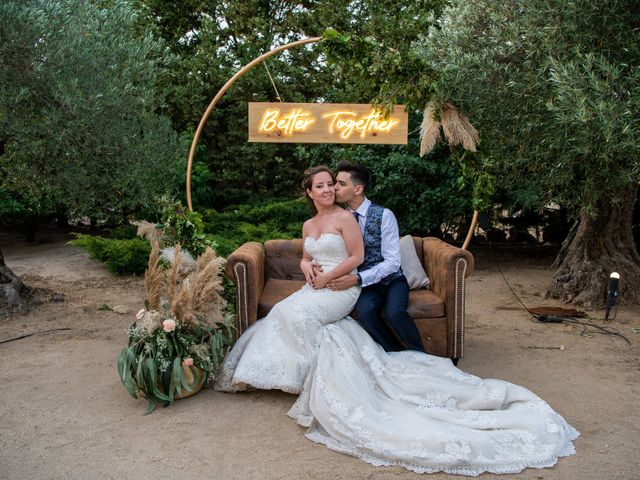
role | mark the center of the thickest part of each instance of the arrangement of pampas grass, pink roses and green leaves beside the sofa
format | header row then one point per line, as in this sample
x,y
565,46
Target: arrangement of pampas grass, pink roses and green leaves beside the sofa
x,y
182,335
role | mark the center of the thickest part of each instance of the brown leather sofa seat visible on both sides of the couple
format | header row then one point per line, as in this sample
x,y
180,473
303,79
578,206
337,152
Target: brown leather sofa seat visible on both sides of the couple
x,y
422,303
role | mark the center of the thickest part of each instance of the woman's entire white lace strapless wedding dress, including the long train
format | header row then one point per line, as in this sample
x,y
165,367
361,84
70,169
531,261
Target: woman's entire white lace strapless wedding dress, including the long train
x,y
401,408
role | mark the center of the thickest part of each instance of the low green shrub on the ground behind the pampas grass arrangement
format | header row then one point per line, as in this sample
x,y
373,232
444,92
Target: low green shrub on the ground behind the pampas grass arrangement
x,y
122,257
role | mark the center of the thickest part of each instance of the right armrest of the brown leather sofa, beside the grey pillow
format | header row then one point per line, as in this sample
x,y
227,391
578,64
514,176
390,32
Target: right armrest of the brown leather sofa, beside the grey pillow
x,y
447,267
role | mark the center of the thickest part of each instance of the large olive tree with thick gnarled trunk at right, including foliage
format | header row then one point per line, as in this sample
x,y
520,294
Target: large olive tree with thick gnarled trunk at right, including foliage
x,y
553,89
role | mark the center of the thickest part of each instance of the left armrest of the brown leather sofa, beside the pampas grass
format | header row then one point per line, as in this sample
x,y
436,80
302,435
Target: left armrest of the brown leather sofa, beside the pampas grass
x,y
245,267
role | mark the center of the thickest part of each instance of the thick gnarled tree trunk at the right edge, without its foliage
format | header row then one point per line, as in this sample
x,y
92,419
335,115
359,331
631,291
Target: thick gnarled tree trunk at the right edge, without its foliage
x,y
595,248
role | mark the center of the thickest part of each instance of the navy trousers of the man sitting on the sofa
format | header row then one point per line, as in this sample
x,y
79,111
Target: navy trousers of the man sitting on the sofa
x,y
397,324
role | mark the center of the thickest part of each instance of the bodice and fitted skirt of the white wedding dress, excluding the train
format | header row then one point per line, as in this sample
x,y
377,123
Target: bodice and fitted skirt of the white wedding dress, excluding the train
x,y
277,351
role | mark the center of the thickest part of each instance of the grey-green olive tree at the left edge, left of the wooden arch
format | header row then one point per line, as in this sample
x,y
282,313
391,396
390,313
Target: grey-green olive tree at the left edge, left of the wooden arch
x,y
79,128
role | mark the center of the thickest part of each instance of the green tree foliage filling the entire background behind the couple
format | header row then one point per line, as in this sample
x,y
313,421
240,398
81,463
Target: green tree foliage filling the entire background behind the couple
x,y
100,99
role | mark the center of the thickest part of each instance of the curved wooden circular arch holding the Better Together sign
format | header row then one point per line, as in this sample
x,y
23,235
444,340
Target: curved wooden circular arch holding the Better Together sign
x,y
231,81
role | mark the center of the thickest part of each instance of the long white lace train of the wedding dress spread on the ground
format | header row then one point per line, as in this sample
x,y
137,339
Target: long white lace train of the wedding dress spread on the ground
x,y
421,412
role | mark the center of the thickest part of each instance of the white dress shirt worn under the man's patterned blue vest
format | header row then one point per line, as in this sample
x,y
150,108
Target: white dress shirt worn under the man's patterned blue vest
x,y
390,247
